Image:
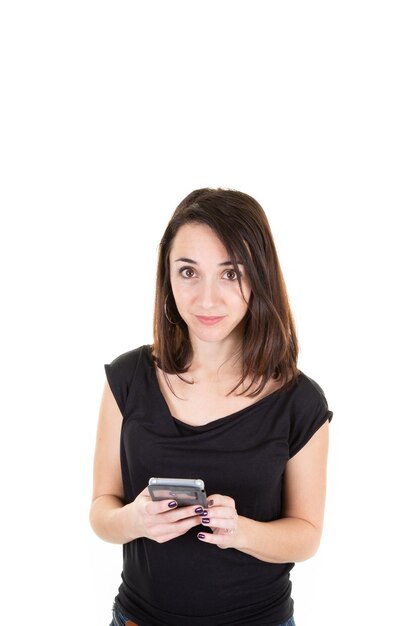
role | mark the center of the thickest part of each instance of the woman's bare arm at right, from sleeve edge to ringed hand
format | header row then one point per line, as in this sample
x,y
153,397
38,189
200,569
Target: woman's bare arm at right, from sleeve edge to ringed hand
x,y
295,537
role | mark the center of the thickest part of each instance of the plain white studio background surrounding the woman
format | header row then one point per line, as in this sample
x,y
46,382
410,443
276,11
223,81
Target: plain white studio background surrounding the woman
x,y
111,112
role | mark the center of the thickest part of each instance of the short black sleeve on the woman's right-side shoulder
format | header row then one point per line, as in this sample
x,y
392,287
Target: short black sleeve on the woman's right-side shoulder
x,y
309,413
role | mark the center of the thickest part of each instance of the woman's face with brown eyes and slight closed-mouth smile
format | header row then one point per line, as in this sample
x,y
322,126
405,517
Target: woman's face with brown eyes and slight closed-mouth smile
x,y
205,285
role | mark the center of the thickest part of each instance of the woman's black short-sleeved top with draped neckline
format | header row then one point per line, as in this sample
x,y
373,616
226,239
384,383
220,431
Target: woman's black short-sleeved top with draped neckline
x,y
186,582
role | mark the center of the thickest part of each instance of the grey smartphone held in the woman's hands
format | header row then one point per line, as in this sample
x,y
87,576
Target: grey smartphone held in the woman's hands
x,y
185,491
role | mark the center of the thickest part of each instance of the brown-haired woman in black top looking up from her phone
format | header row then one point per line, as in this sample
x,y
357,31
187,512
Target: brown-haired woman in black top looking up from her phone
x,y
217,397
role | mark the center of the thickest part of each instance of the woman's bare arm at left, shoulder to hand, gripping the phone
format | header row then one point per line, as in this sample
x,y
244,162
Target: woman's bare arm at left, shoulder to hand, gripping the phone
x,y
110,518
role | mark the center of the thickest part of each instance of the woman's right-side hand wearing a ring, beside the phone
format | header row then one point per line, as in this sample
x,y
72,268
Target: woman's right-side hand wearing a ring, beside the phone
x,y
222,519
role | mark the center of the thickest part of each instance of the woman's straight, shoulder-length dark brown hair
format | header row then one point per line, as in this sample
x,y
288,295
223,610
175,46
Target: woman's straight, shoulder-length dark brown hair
x,y
269,346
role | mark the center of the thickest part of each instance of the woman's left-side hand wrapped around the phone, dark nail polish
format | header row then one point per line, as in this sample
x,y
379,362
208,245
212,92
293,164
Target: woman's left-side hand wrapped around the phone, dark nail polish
x,y
160,521
